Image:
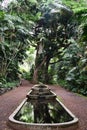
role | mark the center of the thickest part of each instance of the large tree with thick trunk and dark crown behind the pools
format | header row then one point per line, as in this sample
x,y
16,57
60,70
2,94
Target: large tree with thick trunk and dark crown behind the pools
x,y
52,32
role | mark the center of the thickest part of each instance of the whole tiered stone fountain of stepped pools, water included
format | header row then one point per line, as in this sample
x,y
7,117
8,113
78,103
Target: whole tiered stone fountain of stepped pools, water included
x,y
42,110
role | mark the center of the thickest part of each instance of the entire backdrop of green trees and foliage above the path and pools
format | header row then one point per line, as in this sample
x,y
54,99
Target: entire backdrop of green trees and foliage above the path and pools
x,y
58,35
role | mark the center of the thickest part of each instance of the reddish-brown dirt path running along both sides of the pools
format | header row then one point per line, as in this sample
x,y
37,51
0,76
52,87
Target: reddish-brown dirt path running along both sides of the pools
x,y
10,100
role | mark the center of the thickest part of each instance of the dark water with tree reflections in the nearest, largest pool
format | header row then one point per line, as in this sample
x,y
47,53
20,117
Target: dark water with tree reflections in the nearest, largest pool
x,y
43,112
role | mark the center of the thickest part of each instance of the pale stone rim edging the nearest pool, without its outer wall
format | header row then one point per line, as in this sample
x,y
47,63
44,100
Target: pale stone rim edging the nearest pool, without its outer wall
x,y
13,121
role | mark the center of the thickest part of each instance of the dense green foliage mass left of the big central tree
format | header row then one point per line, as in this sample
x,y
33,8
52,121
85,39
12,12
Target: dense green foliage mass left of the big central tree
x,y
15,35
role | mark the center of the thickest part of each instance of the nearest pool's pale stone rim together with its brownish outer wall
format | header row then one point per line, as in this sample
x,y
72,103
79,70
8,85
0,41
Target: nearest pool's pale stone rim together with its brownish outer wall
x,y
20,125
